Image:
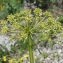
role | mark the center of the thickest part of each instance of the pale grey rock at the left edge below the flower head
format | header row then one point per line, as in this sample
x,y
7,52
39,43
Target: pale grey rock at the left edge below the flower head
x,y
5,41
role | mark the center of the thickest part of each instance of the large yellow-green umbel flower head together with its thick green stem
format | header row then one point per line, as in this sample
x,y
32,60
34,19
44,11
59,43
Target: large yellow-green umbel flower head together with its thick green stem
x,y
27,27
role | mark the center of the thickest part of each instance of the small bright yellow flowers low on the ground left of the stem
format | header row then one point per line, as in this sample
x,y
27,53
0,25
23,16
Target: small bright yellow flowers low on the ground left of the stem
x,y
16,60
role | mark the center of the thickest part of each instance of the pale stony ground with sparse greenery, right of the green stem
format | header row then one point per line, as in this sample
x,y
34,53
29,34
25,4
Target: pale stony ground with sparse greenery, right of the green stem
x,y
50,55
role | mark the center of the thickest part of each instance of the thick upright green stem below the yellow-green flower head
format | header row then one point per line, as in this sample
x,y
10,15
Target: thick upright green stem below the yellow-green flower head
x,y
30,48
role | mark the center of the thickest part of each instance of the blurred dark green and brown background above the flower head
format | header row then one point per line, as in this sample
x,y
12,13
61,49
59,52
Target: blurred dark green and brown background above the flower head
x,y
12,6
